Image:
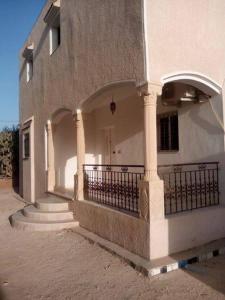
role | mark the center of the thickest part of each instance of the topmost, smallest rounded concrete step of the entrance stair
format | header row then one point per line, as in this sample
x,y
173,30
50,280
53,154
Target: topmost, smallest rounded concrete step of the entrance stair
x,y
52,204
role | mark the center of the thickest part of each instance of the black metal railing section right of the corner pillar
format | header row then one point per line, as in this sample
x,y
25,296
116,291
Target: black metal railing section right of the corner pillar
x,y
190,186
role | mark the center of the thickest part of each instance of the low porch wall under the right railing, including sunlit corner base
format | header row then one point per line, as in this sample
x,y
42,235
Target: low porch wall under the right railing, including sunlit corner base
x,y
187,230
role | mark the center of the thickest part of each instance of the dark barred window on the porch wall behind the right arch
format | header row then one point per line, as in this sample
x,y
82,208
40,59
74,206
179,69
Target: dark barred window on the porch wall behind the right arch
x,y
168,133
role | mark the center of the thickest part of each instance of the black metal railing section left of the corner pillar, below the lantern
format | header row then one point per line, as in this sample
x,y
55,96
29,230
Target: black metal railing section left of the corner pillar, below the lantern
x,y
113,185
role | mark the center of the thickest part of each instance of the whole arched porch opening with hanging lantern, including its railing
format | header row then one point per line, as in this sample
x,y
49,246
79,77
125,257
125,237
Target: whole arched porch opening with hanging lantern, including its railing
x,y
113,129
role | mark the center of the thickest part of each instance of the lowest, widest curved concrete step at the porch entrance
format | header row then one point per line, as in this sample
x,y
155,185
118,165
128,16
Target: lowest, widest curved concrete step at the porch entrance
x,y
19,221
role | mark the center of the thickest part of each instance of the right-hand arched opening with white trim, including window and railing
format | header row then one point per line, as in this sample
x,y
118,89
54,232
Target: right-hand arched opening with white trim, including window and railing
x,y
190,141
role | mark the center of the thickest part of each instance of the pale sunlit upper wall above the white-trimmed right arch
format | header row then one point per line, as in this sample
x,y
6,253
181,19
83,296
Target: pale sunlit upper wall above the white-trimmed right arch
x,y
186,36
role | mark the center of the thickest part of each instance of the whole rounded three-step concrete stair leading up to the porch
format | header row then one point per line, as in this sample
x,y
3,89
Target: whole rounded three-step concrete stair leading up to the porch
x,y
47,214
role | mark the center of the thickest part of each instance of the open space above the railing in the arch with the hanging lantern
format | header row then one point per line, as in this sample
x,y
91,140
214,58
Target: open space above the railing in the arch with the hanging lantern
x,y
114,125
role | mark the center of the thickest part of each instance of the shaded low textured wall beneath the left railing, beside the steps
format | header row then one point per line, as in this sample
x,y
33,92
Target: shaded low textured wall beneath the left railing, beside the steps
x,y
122,229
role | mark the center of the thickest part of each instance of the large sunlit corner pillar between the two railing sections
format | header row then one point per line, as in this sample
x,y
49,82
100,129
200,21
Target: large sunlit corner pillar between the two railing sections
x,y
151,189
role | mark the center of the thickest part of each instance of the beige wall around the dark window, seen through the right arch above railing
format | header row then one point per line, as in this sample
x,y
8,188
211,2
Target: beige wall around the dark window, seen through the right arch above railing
x,y
200,134
